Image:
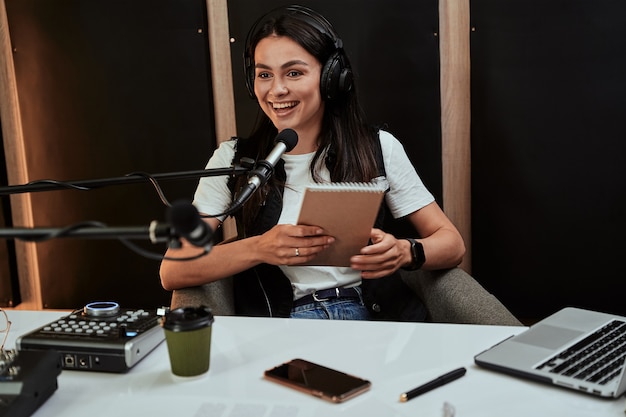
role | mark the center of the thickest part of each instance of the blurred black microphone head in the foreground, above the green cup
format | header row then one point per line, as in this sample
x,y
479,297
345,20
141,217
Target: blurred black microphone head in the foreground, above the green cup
x,y
184,218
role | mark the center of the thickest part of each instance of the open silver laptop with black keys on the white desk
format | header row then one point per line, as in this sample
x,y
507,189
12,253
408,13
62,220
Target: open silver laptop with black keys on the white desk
x,y
574,348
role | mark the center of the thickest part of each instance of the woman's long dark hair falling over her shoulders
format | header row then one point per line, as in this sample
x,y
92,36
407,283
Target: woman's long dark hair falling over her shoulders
x,y
346,138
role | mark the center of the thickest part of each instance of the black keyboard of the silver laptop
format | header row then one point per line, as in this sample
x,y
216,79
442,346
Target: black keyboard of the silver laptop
x,y
598,358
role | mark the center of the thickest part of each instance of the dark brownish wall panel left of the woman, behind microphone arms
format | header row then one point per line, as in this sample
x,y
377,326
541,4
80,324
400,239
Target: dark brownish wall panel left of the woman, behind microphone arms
x,y
107,88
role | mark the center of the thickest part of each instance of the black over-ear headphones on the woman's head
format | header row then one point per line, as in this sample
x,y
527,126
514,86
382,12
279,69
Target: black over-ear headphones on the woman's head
x,y
336,78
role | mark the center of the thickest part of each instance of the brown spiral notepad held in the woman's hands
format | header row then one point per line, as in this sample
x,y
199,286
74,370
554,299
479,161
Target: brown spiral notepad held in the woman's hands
x,y
347,211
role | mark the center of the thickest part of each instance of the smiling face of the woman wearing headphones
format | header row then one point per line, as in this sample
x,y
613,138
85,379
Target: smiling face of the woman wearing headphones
x,y
287,87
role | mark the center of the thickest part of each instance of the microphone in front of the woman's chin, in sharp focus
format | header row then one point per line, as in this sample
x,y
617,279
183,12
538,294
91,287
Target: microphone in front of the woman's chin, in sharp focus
x,y
285,141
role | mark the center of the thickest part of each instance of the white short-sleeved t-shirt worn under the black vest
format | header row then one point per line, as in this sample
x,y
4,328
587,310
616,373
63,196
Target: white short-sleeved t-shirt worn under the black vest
x,y
406,194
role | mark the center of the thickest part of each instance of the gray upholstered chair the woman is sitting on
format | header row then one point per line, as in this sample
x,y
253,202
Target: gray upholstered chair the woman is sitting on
x,y
450,296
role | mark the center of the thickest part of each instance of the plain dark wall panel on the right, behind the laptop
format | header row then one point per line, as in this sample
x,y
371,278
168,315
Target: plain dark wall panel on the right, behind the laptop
x,y
548,153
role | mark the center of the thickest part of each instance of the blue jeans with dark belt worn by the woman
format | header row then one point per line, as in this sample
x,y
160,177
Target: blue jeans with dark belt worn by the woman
x,y
333,309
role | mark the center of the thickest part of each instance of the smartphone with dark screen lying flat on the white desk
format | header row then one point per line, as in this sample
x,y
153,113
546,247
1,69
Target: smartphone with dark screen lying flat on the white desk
x,y
318,380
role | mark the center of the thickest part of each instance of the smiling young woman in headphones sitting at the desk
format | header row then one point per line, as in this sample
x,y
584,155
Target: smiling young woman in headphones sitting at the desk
x,y
298,72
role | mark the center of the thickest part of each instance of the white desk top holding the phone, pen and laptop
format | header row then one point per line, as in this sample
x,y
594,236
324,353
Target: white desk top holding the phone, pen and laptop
x,y
394,356
